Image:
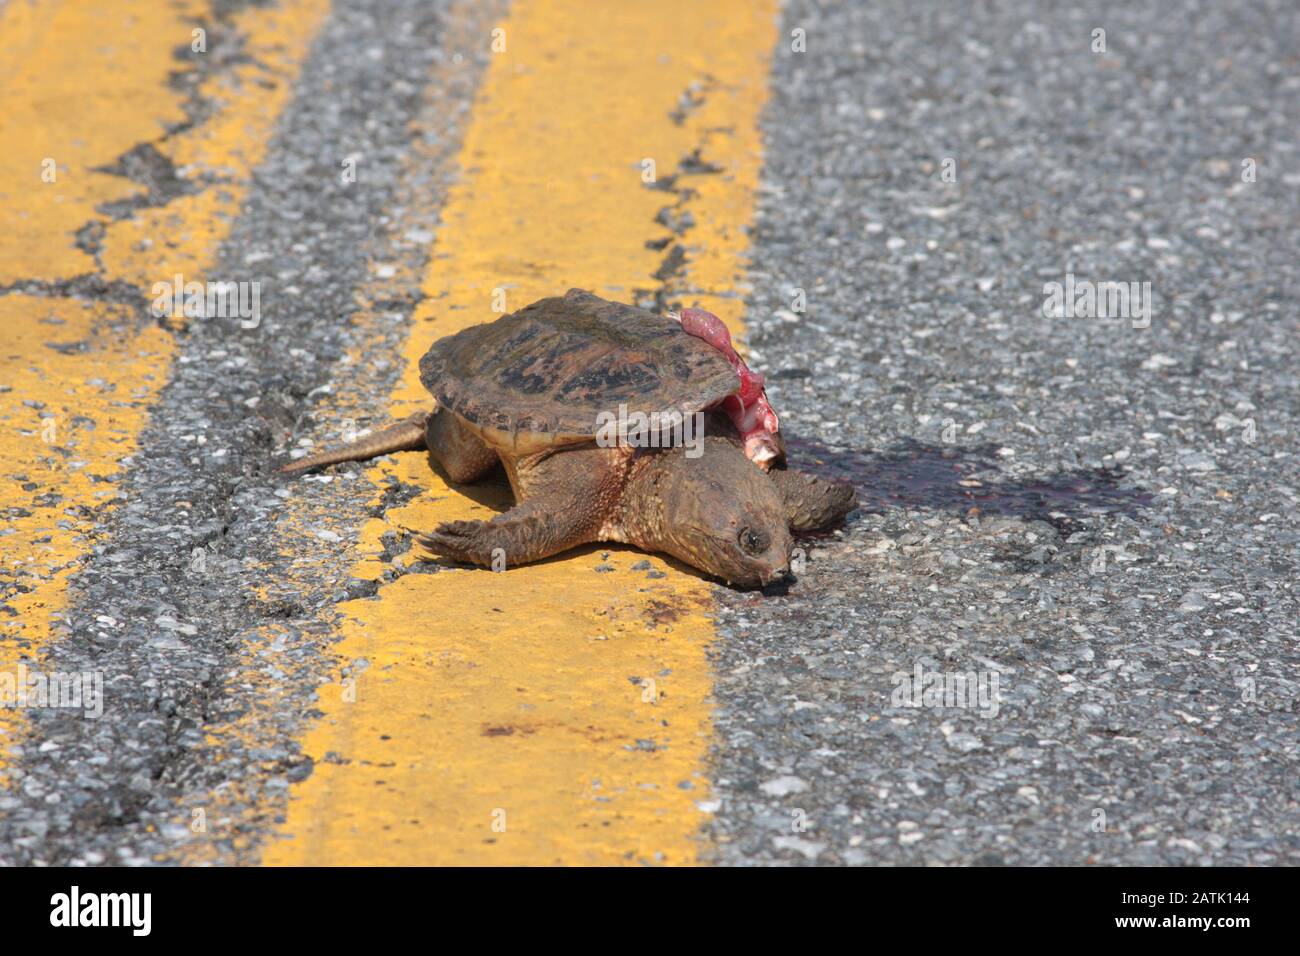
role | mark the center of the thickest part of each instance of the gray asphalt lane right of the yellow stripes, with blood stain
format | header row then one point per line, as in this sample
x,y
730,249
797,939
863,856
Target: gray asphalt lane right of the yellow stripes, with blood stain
x,y
1150,700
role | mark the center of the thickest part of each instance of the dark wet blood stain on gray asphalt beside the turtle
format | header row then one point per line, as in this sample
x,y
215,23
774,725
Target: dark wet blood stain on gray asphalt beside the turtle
x,y
947,478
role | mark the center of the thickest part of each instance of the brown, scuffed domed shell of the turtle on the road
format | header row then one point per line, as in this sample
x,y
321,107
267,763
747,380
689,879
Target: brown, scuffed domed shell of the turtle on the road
x,y
544,375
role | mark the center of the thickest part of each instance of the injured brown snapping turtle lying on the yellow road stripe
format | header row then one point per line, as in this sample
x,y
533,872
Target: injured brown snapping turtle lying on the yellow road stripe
x,y
596,409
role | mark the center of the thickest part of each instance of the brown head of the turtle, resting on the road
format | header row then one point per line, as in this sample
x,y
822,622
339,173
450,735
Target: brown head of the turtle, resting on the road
x,y
717,512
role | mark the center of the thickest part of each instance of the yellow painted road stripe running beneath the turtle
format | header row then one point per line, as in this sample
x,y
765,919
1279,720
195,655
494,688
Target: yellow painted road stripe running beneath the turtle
x,y
510,717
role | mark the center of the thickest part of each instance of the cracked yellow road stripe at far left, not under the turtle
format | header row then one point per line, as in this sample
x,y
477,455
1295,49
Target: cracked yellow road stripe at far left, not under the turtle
x,y
84,83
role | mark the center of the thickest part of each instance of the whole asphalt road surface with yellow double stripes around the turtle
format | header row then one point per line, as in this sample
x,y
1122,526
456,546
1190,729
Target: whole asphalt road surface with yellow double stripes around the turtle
x,y
1061,629
